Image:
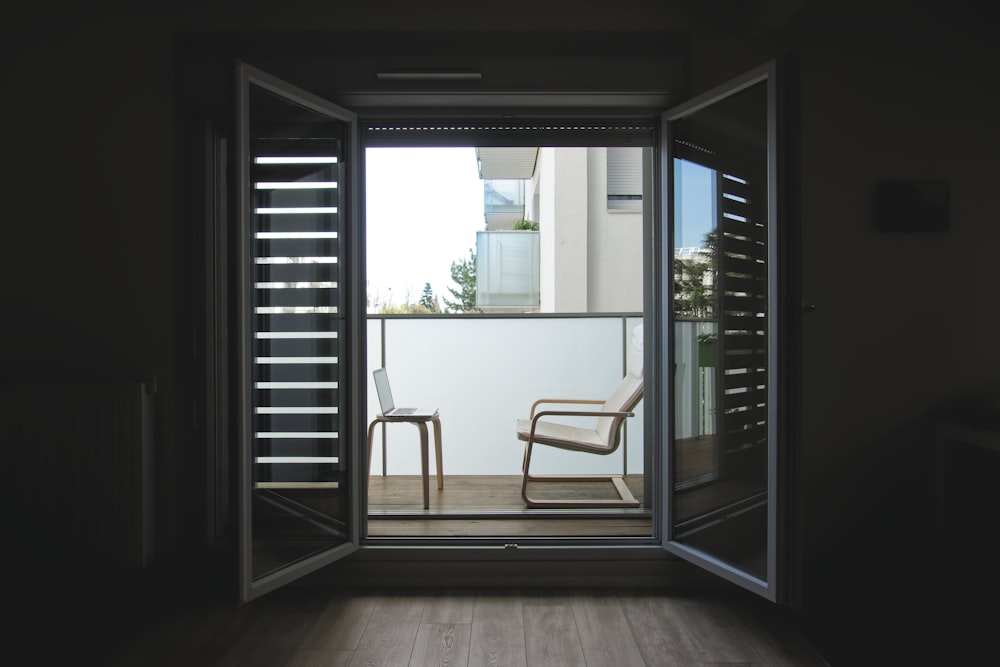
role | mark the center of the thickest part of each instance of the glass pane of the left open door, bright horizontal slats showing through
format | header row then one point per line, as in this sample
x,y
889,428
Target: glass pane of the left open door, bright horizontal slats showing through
x,y
299,485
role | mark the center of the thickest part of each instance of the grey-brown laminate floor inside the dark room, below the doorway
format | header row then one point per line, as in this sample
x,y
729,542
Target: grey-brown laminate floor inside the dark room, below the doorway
x,y
299,626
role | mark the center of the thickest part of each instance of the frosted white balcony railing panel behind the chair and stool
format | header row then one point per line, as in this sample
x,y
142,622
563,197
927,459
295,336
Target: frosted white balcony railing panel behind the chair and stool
x,y
483,373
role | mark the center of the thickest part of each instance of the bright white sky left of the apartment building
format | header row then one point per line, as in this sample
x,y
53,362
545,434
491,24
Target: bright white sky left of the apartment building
x,y
423,209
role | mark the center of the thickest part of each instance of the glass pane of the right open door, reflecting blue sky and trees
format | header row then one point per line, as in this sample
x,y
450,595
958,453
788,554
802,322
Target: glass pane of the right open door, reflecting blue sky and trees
x,y
720,298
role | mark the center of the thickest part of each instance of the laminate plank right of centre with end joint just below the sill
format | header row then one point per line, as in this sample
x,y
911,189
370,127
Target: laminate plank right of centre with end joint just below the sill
x,y
551,636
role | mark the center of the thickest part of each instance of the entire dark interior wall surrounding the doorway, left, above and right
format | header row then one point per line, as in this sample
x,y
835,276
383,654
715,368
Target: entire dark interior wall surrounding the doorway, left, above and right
x,y
98,272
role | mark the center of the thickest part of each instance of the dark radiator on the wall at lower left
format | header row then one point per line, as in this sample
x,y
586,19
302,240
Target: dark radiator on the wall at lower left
x,y
78,461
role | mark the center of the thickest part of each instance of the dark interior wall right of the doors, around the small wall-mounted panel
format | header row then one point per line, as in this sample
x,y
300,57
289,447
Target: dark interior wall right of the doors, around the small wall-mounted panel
x,y
904,329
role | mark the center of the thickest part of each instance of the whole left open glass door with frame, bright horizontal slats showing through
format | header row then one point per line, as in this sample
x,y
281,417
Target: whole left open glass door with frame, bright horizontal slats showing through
x,y
296,175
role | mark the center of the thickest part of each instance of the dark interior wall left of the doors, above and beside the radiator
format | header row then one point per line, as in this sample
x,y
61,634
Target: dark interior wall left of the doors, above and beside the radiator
x,y
90,271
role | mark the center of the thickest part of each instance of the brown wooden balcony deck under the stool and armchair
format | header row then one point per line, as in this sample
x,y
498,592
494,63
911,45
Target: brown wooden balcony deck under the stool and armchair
x,y
491,506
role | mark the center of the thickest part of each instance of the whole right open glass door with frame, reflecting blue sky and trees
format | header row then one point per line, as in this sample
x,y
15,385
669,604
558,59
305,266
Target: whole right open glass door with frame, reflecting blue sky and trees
x,y
720,464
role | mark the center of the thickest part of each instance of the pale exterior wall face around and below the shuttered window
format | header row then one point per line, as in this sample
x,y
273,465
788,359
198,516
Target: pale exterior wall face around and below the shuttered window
x,y
614,258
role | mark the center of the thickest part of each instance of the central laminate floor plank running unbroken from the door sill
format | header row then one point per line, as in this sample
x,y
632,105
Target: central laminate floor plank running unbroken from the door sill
x,y
498,630
